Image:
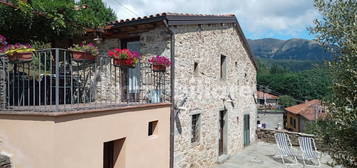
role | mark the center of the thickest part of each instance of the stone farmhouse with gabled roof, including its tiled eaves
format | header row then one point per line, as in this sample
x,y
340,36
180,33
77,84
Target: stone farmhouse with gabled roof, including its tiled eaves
x,y
214,81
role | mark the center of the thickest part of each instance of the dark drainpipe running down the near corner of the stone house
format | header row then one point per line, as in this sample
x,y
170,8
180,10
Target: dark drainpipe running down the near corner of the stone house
x,y
172,76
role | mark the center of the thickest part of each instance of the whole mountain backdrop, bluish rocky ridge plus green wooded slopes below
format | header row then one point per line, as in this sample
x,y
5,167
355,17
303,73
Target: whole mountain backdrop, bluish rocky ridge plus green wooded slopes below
x,y
294,67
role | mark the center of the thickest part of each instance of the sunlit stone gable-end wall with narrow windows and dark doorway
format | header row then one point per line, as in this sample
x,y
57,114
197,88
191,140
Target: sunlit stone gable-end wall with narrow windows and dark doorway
x,y
206,93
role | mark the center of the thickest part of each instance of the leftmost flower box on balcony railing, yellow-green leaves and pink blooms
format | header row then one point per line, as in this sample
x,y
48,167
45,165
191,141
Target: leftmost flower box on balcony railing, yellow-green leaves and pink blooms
x,y
18,52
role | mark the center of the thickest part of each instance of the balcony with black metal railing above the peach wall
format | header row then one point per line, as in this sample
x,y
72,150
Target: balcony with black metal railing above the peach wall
x,y
54,82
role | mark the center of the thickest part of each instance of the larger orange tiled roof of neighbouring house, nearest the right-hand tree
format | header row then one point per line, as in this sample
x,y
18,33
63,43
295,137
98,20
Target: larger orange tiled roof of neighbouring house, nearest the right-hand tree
x,y
308,109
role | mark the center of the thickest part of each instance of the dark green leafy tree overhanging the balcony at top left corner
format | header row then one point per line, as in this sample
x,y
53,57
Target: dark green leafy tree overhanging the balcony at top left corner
x,y
55,21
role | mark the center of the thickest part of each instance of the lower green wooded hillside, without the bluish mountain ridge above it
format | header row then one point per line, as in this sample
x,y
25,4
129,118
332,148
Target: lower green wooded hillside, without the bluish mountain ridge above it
x,y
309,84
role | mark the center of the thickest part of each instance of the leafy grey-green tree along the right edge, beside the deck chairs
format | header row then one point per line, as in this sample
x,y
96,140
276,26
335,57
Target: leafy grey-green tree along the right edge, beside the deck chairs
x,y
337,30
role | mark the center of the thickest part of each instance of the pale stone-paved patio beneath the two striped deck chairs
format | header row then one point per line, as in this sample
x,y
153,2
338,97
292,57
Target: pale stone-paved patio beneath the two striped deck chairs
x,y
260,155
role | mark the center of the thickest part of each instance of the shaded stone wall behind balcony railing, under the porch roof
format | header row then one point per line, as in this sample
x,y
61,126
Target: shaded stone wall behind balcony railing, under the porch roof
x,y
152,43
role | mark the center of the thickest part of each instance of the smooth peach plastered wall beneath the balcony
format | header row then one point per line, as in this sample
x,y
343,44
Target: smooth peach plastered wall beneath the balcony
x,y
76,140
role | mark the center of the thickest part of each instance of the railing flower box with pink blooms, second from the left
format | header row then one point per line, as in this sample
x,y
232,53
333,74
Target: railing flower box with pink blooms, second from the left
x,y
84,52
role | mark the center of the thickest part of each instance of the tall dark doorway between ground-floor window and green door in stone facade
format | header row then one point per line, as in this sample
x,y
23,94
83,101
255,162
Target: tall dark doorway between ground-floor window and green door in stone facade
x,y
222,132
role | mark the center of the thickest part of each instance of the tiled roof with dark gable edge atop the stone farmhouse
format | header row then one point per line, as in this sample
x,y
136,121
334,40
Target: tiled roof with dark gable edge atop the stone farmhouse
x,y
173,19
